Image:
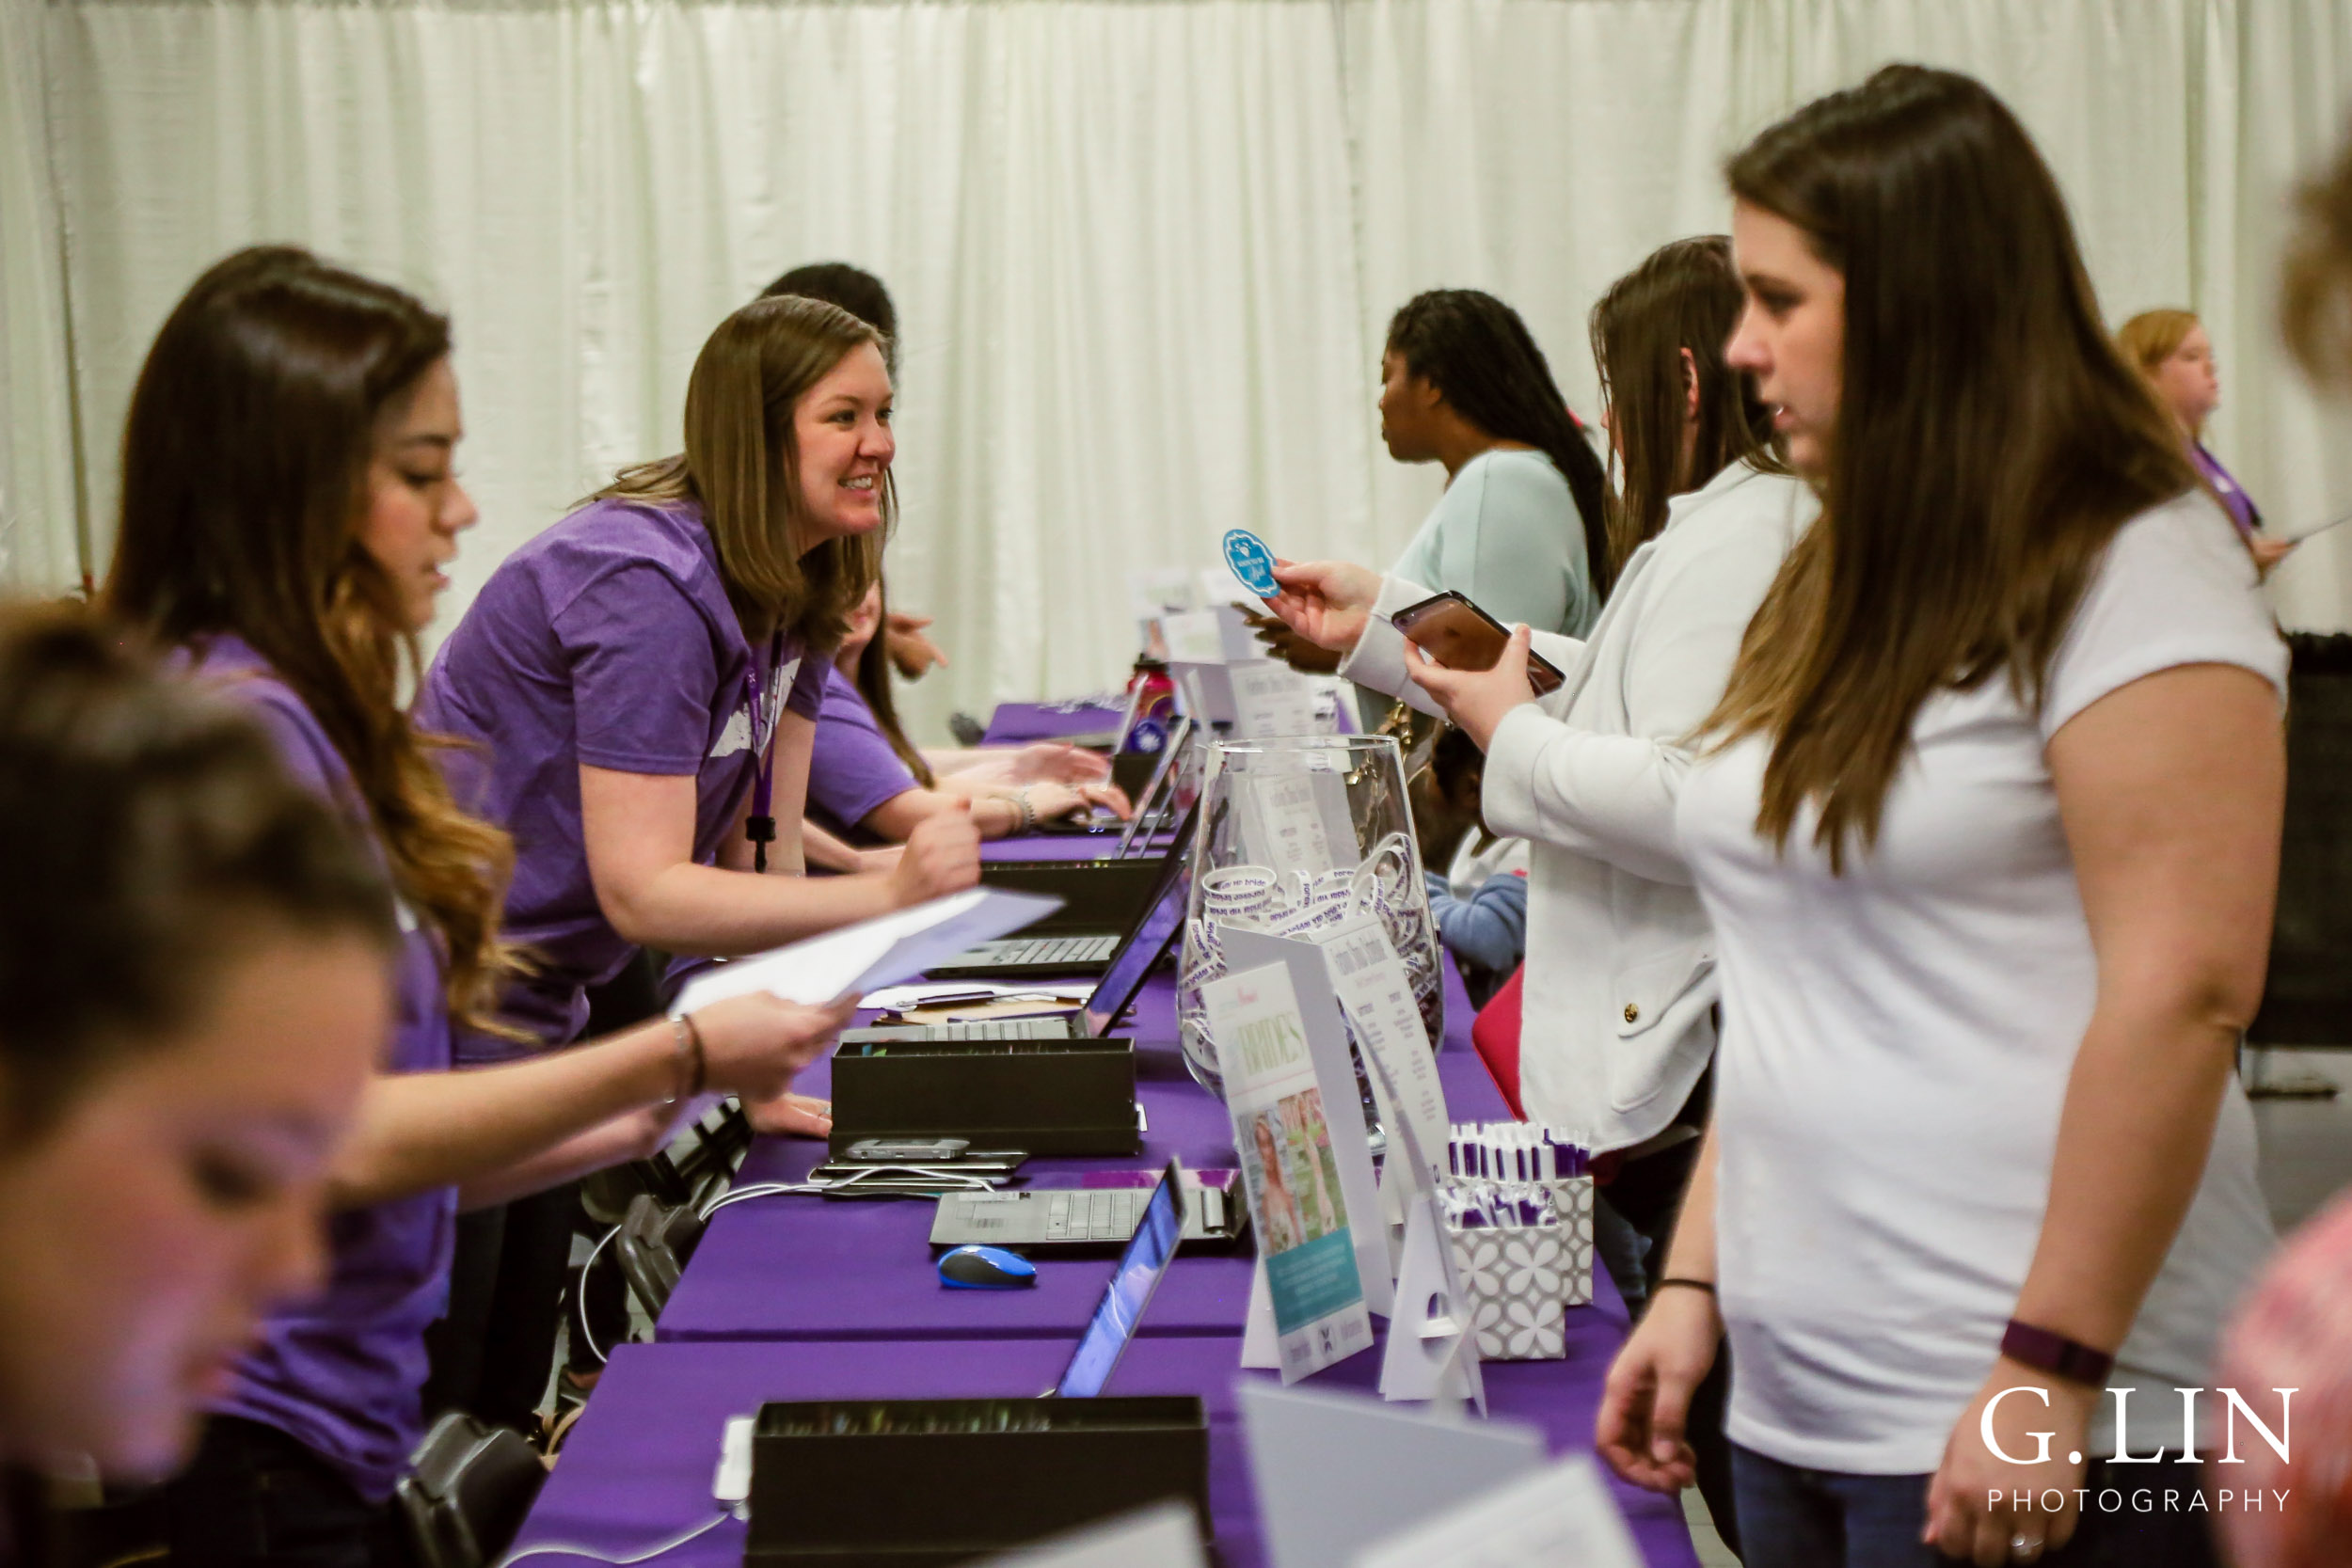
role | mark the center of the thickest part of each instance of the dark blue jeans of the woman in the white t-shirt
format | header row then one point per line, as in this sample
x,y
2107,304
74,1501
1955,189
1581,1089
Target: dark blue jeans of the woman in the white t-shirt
x,y
1831,1520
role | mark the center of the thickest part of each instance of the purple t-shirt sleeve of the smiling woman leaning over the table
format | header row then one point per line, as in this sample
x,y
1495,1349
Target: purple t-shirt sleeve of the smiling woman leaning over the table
x,y
641,674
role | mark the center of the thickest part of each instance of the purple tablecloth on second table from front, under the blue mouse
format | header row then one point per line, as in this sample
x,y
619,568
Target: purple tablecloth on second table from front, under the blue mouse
x,y
803,1268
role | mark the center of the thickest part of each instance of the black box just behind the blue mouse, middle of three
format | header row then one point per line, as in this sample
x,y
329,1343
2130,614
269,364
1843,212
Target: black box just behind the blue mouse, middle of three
x,y
1048,1097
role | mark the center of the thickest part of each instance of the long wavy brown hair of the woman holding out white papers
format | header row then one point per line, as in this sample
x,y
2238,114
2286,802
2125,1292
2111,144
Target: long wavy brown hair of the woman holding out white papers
x,y
246,467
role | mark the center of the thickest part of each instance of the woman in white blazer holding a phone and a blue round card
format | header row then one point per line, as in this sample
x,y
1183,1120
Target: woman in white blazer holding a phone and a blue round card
x,y
1619,996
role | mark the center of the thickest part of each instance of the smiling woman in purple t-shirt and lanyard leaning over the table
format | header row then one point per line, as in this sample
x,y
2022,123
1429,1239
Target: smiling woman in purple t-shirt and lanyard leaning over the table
x,y
639,688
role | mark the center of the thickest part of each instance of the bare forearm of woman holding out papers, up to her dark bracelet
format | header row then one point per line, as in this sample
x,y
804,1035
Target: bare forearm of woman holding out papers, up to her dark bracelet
x,y
441,1130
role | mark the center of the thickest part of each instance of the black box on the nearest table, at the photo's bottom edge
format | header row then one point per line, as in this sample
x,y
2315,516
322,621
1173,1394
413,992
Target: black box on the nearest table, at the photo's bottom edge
x,y
921,1482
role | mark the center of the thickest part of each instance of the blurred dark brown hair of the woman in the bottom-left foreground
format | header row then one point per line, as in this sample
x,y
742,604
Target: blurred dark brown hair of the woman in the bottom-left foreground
x,y
147,831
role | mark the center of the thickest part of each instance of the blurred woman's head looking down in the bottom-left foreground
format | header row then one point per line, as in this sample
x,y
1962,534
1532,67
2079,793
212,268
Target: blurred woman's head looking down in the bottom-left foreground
x,y
194,965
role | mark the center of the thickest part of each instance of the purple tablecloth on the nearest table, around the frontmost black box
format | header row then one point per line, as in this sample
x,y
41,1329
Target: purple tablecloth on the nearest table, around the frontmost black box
x,y
641,1461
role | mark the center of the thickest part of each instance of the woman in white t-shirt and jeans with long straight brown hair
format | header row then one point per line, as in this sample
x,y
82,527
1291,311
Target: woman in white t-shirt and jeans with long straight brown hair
x,y
1989,838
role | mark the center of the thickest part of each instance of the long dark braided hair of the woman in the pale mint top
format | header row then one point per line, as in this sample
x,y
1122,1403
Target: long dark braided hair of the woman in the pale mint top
x,y
1485,363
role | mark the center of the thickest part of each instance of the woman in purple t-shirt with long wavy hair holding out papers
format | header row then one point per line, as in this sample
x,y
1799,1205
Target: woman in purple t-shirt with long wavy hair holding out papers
x,y
288,509
